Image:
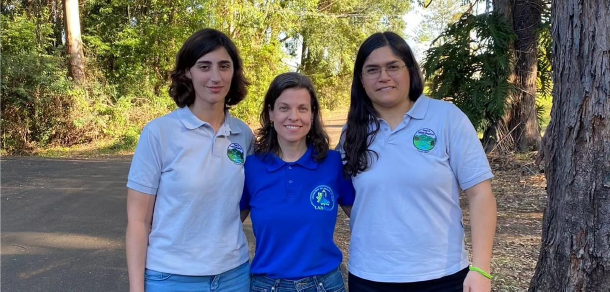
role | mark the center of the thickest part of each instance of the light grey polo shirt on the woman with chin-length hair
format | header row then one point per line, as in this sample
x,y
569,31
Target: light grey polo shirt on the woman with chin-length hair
x,y
198,178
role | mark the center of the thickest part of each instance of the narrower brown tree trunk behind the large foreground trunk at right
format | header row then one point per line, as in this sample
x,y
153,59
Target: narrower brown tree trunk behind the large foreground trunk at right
x,y
522,118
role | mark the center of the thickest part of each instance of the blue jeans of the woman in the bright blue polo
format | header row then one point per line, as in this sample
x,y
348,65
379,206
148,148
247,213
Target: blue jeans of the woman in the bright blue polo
x,y
331,282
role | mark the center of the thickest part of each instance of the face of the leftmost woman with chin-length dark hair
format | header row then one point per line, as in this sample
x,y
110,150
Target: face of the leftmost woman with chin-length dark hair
x,y
211,76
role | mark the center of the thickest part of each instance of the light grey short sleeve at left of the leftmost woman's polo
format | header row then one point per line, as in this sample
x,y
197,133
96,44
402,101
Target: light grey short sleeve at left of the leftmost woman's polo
x,y
145,171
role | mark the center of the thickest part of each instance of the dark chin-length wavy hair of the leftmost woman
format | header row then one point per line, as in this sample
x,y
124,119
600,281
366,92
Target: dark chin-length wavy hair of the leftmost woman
x,y
197,45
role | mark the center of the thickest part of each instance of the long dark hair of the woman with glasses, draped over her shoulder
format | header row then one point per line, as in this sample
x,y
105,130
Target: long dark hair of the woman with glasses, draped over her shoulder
x,y
357,136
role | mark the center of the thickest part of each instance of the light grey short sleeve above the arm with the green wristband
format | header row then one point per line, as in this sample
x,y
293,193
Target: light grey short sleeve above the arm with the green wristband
x,y
466,155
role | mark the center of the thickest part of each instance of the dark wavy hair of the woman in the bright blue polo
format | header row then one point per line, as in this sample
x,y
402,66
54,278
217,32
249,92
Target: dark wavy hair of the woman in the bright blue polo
x,y
266,136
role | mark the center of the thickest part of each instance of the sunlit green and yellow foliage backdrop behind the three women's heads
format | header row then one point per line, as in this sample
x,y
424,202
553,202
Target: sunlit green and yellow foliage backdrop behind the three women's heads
x,y
130,48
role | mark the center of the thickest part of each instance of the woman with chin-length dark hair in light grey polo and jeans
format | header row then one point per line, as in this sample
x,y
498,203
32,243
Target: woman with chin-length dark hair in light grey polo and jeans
x,y
184,232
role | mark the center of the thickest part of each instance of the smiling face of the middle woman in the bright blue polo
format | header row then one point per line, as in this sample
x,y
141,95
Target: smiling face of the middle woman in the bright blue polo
x,y
292,116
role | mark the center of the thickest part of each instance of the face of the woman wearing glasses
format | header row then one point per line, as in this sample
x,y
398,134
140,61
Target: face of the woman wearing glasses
x,y
385,78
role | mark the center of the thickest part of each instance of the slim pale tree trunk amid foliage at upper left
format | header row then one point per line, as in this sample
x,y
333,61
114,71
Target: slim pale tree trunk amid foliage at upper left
x,y
74,42
